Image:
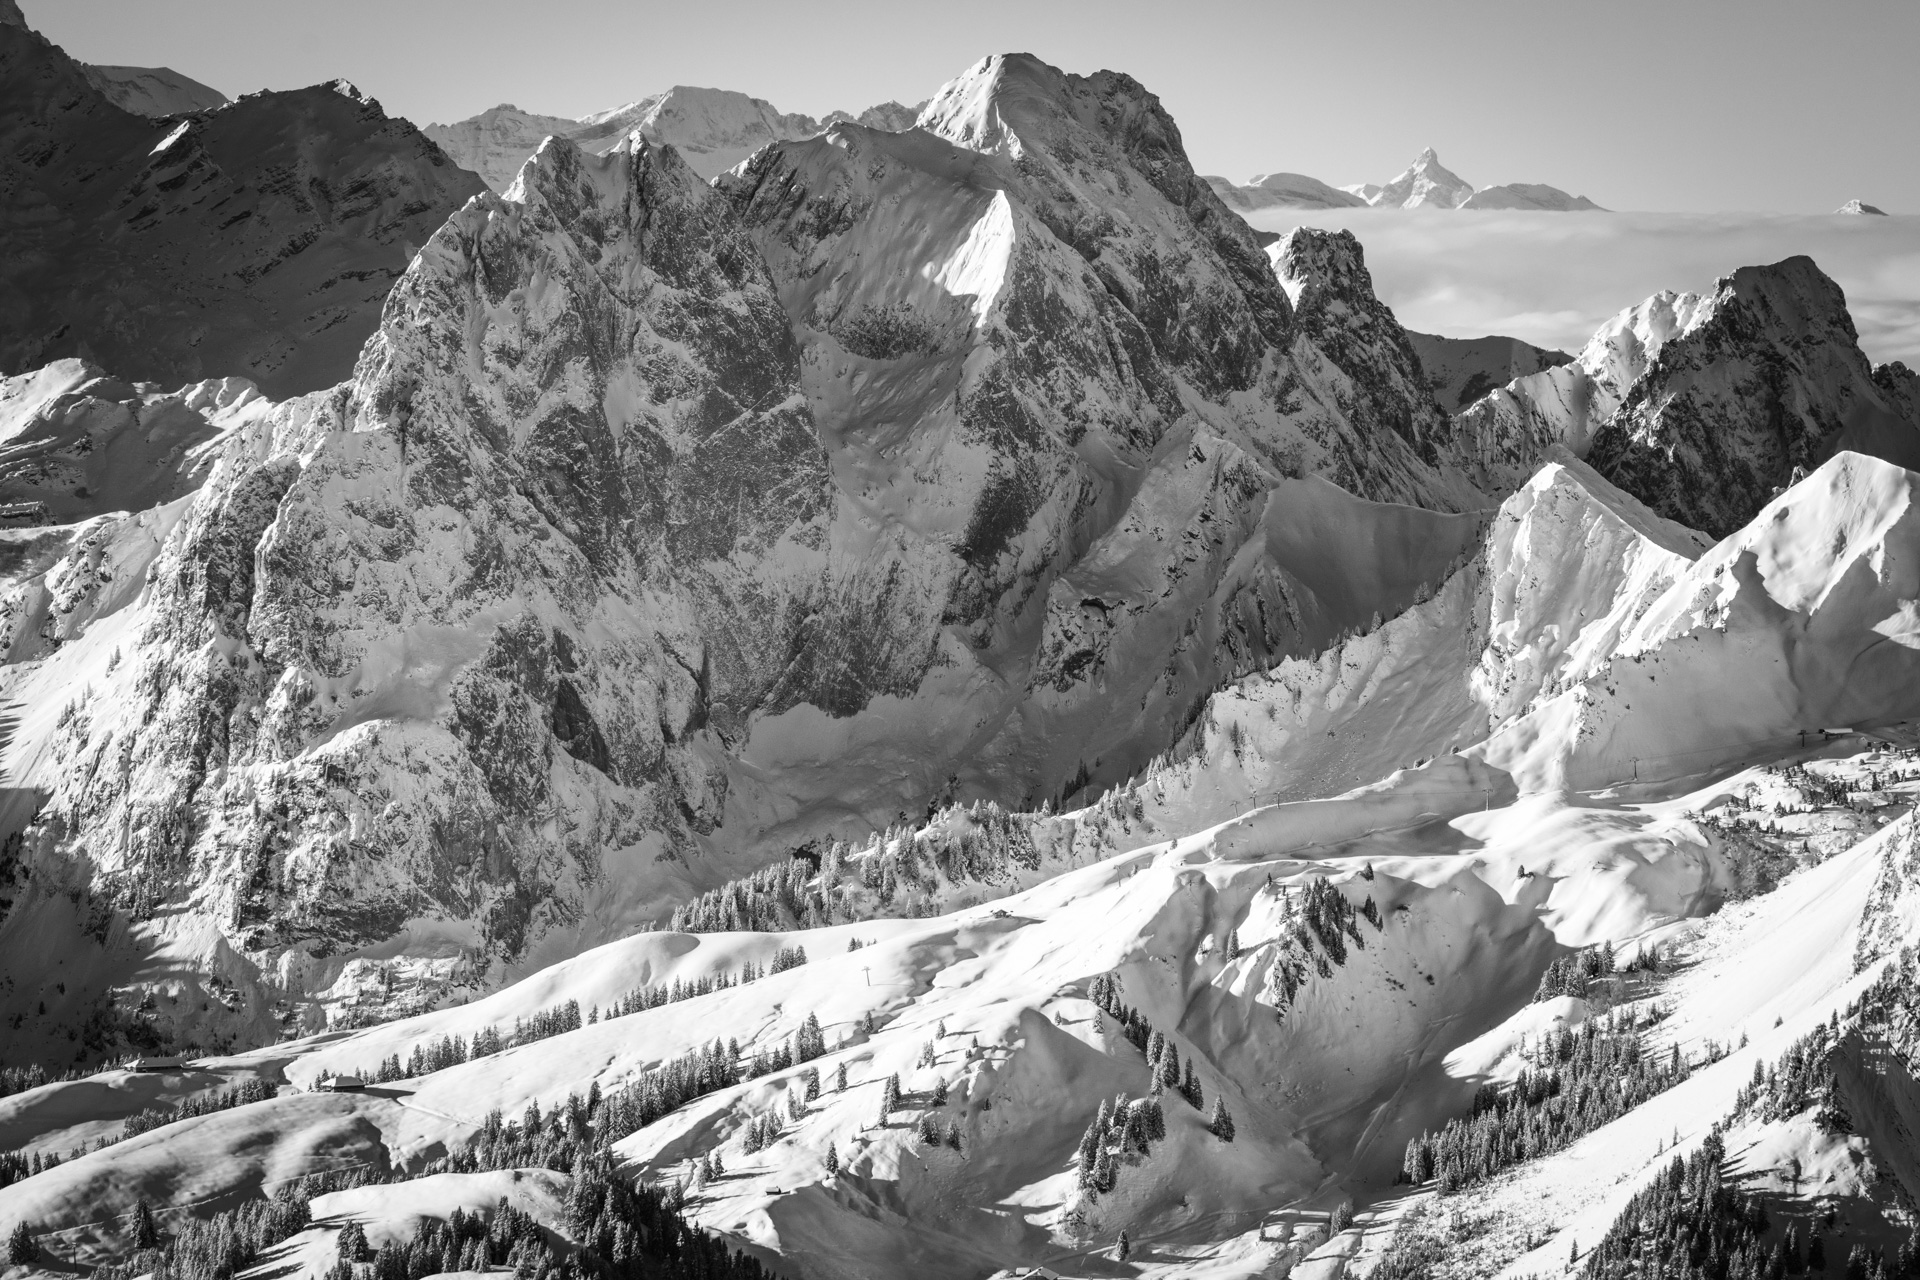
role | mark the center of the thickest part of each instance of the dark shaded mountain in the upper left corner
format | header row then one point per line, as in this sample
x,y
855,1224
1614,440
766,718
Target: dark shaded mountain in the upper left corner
x,y
254,241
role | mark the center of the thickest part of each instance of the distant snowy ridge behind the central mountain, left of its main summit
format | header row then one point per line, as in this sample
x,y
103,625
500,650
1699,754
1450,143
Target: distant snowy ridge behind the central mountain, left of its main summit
x,y
713,130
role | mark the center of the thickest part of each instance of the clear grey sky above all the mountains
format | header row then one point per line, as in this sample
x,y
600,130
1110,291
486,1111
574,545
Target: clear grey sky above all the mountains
x,y
1788,107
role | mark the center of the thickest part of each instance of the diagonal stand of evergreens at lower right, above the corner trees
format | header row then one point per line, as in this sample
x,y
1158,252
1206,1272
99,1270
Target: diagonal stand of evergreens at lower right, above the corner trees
x,y
1583,1079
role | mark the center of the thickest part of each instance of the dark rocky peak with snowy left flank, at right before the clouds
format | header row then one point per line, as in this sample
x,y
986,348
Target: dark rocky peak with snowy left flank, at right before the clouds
x,y
1704,406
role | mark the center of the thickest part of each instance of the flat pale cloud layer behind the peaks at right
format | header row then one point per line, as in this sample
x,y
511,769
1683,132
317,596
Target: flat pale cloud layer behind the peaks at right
x,y
1554,277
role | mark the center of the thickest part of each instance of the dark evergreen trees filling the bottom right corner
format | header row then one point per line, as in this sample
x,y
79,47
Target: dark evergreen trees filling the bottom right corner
x,y
1689,1225
